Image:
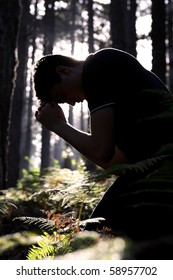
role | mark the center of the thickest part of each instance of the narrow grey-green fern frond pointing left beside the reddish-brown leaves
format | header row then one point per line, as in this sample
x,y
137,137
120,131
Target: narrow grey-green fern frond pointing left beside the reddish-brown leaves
x,y
41,222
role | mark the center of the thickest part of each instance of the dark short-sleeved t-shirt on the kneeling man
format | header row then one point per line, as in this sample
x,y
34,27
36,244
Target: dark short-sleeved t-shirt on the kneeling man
x,y
142,104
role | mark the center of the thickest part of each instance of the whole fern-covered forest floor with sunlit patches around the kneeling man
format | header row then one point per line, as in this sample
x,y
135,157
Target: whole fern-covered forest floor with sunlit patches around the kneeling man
x,y
44,217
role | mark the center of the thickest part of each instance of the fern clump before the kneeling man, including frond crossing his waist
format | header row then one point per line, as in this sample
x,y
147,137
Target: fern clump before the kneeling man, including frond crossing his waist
x,y
67,198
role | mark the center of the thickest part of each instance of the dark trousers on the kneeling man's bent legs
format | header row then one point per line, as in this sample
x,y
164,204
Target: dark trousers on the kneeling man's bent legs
x,y
139,206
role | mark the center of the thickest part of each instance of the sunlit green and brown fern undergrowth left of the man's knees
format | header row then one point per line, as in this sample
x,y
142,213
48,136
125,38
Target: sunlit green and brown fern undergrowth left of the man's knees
x,y
56,205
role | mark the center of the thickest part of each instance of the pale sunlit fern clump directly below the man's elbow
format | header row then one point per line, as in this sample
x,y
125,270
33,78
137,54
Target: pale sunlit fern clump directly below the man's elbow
x,y
63,189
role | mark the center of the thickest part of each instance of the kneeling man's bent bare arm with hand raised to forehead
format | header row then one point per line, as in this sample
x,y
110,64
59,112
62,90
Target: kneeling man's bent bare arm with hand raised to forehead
x,y
99,146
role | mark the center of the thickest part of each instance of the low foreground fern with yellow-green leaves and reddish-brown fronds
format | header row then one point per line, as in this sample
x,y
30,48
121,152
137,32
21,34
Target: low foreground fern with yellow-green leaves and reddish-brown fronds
x,y
58,240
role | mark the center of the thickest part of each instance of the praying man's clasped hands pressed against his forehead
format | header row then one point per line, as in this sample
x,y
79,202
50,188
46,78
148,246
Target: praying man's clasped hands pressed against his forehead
x,y
50,115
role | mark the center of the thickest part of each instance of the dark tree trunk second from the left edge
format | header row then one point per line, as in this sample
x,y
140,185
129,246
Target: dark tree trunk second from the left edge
x,y
18,100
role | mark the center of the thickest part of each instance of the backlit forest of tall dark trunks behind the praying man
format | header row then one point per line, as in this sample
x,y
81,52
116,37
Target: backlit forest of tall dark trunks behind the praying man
x,y
32,28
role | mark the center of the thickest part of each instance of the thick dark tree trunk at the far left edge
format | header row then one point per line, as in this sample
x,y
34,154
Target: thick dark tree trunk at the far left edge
x,y
10,19
